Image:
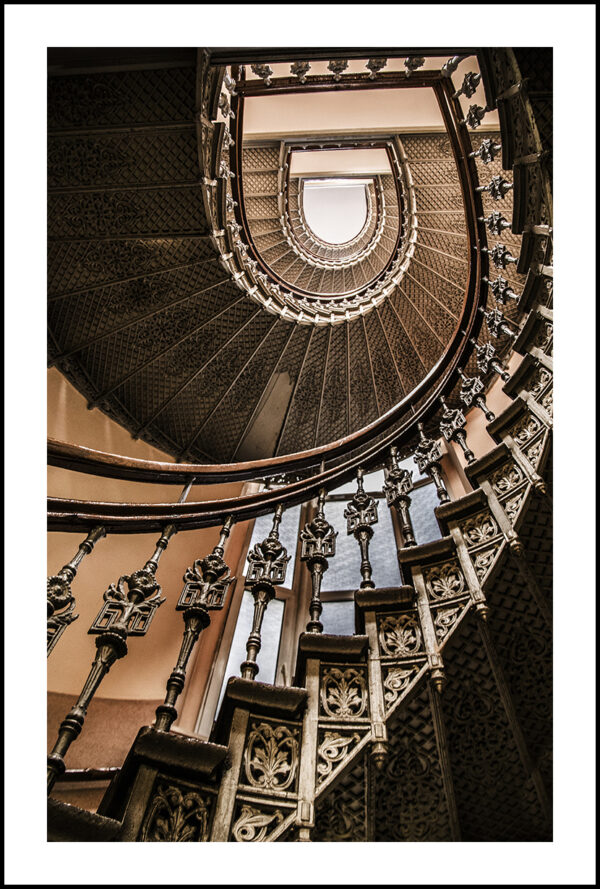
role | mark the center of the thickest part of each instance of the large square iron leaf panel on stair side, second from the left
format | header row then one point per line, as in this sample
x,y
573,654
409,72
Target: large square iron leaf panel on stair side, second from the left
x,y
271,756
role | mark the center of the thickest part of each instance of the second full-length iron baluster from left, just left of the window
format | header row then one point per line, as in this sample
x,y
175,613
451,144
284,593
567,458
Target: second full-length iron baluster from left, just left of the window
x,y
206,586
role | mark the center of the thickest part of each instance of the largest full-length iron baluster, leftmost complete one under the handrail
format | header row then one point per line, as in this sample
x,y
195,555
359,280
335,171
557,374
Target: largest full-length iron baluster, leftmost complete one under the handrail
x,y
127,611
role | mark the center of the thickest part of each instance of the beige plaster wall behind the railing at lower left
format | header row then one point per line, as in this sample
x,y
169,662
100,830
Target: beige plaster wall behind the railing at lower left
x,y
142,674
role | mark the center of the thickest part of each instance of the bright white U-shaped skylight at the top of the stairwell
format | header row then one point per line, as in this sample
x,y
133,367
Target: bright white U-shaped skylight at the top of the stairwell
x,y
335,209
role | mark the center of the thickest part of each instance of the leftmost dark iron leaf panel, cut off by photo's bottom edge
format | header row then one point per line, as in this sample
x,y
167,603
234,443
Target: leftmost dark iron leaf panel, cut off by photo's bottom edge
x,y
175,817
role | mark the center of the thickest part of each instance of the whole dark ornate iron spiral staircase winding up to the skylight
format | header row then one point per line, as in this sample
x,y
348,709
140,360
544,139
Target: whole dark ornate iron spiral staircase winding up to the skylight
x,y
184,282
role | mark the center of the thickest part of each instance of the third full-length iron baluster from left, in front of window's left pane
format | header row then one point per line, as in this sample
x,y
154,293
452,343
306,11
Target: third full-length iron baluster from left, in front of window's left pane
x,y
268,565
